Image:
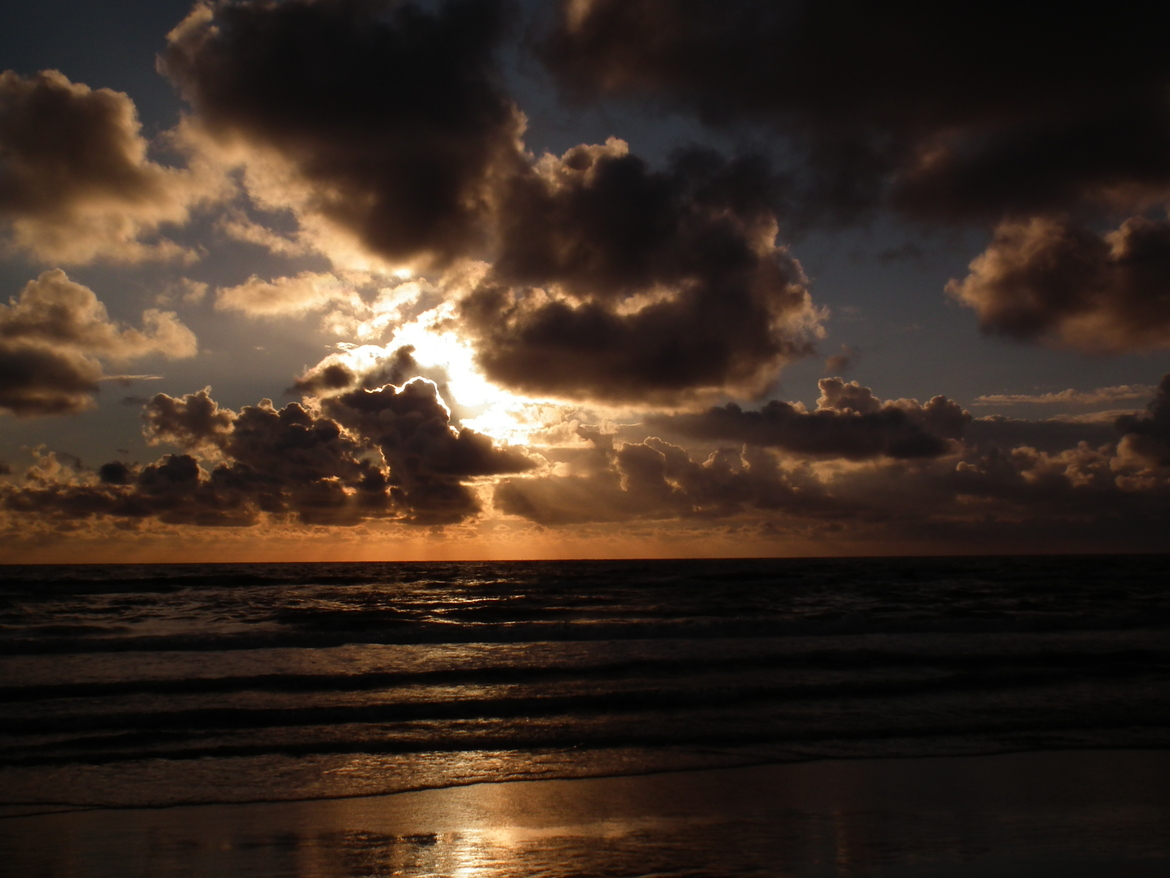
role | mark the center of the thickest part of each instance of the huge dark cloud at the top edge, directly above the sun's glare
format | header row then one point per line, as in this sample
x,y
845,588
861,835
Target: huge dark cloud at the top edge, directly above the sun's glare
x,y
391,114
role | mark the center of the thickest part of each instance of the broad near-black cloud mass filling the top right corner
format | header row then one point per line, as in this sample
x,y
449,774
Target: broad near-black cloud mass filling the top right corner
x,y
948,112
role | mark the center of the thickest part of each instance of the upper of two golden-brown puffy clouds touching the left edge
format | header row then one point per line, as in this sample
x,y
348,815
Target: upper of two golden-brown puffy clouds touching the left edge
x,y
77,184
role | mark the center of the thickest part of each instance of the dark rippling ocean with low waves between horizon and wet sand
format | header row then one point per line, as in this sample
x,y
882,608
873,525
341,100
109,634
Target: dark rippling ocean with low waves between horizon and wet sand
x,y
152,687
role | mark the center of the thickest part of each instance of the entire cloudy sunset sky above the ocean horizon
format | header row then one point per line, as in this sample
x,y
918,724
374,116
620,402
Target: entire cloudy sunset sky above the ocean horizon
x,y
288,280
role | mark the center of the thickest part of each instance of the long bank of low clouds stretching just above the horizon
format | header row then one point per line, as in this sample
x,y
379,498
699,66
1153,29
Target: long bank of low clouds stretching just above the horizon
x,y
391,455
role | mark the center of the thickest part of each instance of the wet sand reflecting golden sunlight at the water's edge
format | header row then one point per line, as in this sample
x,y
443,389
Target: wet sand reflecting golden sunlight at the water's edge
x,y
1075,814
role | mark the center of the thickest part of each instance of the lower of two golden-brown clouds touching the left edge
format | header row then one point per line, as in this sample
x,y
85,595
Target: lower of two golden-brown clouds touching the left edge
x,y
54,338
